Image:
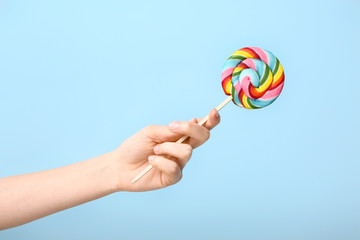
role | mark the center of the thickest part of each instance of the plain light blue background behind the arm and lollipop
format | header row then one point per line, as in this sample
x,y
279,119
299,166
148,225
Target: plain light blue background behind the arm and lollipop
x,y
79,77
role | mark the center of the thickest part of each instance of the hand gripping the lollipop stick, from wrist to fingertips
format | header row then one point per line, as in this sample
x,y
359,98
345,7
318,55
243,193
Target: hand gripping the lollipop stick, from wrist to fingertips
x,y
156,145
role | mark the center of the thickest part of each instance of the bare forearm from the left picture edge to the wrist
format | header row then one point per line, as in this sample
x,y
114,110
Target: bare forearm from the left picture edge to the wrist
x,y
27,197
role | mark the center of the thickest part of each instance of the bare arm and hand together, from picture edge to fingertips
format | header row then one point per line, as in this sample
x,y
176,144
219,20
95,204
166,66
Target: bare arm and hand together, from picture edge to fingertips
x,y
27,197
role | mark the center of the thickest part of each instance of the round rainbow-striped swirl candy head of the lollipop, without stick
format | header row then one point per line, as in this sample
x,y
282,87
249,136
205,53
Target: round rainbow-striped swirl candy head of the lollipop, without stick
x,y
253,76
